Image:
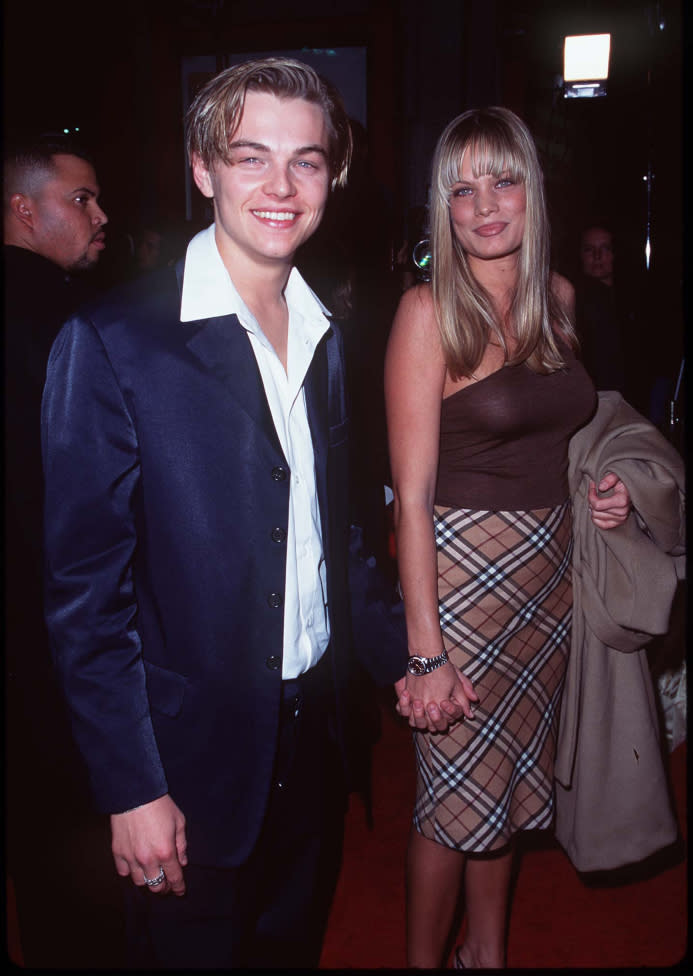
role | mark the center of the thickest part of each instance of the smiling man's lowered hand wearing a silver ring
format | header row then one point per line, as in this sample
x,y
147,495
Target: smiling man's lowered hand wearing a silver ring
x,y
149,839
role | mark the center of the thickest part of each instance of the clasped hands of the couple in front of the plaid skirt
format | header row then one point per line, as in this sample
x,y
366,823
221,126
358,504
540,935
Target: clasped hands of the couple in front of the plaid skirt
x,y
437,700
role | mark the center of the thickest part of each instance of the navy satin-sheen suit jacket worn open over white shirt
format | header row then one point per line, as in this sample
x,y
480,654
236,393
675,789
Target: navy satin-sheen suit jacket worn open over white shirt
x,y
167,497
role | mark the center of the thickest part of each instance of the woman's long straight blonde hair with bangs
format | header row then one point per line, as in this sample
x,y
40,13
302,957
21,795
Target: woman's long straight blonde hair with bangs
x,y
498,143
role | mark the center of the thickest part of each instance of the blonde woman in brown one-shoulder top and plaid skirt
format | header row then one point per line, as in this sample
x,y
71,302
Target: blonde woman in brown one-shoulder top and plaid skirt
x,y
483,393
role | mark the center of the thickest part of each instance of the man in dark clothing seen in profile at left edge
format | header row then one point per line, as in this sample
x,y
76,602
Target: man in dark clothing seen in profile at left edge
x,y
53,232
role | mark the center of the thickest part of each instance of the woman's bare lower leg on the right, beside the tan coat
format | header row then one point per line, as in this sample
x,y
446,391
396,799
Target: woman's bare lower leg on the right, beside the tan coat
x,y
487,887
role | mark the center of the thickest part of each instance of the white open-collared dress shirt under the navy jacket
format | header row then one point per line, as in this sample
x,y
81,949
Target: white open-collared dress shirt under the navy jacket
x,y
208,292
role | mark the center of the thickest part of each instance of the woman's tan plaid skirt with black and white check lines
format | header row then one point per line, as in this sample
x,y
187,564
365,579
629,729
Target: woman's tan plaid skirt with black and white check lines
x,y
505,599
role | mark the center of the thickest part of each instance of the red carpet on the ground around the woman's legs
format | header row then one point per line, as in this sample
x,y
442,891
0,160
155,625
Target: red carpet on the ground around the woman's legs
x,y
560,919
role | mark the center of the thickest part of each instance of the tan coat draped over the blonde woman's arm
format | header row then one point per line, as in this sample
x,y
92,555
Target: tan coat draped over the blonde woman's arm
x,y
612,802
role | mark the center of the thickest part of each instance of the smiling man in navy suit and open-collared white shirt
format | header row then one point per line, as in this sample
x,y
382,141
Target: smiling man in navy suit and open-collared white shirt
x,y
195,452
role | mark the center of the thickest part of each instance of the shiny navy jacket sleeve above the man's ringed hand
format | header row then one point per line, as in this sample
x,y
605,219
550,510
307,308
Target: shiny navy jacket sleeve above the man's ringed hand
x,y
92,471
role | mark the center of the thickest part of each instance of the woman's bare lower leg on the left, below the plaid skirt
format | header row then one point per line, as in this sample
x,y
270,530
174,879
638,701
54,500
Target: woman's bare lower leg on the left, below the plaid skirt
x,y
434,875
